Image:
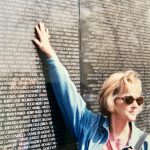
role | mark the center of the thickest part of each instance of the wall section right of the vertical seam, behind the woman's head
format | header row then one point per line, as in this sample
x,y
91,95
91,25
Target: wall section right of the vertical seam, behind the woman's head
x,y
115,36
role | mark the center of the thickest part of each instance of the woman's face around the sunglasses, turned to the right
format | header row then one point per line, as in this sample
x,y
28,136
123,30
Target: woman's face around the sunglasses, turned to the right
x,y
127,112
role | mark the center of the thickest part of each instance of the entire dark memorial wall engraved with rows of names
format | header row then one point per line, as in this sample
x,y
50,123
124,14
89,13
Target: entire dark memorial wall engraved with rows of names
x,y
92,38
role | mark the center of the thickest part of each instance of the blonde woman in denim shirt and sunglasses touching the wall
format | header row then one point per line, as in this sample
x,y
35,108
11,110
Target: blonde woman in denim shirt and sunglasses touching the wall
x,y
120,102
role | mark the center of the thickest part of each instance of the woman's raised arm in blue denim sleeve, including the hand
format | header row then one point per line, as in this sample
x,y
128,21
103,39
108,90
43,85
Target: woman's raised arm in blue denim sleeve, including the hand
x,y
69,100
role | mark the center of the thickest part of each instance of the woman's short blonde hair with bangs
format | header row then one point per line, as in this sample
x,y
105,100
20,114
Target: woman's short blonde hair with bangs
x,y
118,83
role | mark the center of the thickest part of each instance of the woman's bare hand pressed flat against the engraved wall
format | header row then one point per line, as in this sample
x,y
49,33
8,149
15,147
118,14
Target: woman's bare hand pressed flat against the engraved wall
x,y
42,40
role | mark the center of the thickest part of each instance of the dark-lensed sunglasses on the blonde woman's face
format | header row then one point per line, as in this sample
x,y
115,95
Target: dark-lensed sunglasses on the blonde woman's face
x,y
130,99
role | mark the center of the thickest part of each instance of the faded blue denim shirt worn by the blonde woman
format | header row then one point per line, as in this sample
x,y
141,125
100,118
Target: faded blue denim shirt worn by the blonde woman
x,y
91,130
